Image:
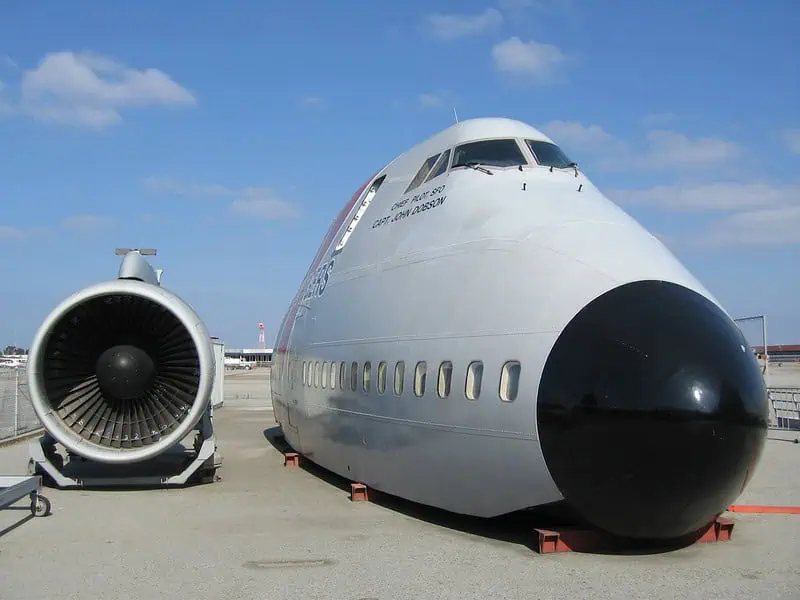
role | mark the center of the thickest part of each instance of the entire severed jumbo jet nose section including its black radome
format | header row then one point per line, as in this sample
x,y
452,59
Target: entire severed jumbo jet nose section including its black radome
x,y
498,335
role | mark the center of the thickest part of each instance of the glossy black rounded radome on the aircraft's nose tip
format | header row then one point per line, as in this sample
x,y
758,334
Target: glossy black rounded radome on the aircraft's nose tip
x,y
652,411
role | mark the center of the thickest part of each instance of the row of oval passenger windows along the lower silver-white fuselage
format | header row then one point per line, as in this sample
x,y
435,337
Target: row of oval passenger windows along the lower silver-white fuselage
x,y
328,374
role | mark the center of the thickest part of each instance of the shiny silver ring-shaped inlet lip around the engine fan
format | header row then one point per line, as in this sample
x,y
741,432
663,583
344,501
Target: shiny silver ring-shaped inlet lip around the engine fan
x,y
60,431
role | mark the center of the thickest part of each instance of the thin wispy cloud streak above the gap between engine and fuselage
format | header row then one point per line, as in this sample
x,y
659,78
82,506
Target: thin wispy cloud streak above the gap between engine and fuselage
x,y
260,202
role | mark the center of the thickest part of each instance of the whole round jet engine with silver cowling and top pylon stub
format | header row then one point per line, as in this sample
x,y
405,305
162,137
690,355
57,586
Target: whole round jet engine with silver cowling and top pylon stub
x,y
123,370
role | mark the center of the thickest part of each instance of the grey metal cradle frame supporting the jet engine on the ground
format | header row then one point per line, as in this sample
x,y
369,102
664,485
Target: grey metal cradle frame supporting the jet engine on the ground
x,y
200,464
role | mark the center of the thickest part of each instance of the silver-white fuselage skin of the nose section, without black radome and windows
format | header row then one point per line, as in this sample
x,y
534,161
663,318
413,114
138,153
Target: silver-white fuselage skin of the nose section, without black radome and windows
x,y
465,267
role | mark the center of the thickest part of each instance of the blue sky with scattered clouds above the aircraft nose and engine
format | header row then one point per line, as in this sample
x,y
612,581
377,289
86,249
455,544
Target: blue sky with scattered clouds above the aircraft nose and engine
x,y
228,135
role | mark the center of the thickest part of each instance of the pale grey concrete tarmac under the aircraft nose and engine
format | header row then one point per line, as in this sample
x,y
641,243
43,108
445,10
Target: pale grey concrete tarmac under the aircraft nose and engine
x,y
266,531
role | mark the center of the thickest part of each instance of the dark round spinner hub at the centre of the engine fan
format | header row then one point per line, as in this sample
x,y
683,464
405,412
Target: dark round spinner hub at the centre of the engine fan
x,y
124,372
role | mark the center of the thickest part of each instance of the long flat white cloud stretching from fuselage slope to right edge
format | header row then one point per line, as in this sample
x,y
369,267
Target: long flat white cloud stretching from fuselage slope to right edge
x,y
722,196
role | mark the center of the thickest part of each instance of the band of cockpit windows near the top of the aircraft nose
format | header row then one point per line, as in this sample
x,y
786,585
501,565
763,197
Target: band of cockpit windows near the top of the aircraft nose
x,y
497,153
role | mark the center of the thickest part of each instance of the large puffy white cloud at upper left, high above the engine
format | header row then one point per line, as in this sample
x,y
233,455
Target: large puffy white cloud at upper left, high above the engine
x,y
90,90
